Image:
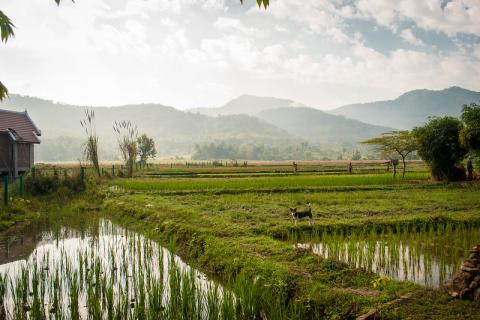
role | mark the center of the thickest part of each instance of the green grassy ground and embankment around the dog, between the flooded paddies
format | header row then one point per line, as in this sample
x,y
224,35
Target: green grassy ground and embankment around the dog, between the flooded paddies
x,y
231,225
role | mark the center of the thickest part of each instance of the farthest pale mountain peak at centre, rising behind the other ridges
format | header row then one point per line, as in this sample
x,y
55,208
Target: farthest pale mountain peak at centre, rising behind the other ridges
x,y
245,104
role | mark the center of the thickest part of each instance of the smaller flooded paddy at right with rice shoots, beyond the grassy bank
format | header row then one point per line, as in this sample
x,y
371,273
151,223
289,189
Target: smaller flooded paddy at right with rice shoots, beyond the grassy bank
x,y
427,257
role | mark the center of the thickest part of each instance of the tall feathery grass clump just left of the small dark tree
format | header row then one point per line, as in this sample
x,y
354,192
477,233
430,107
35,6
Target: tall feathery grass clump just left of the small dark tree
x,y
127,135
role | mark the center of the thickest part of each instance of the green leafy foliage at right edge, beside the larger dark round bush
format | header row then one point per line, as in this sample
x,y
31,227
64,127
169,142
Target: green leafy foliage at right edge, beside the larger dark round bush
x,y
470,134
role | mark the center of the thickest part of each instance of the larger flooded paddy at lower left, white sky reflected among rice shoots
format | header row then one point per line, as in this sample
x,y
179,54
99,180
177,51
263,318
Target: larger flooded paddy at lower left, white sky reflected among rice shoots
x,y
110,273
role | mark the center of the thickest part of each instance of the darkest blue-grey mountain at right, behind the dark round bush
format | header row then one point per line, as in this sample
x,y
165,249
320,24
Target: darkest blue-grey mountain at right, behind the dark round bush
x,y
412,108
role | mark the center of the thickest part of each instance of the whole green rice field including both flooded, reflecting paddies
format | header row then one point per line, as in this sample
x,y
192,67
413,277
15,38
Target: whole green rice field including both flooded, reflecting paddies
x,y
204,242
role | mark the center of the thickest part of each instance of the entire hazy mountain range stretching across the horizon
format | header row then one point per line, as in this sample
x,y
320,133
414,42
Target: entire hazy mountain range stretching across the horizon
x,y
244,120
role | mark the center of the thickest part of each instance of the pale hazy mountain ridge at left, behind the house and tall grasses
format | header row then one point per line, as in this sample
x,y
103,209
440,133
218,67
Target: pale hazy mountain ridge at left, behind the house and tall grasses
x,y
175,131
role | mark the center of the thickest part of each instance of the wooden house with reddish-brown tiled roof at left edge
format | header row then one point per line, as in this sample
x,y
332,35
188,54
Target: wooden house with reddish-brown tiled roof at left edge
x,y
18,135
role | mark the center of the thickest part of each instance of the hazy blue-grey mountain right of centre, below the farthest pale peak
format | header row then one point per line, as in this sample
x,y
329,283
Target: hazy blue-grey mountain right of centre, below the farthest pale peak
x,y
320,127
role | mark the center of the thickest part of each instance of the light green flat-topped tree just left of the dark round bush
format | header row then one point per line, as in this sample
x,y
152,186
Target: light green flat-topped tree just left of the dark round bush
x,y
395,143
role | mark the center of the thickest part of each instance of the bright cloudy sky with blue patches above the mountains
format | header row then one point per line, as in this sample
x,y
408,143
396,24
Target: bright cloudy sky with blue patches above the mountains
x,y
202,53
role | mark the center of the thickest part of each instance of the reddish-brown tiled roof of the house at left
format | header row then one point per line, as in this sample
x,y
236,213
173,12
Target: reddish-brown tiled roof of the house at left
x,y
21,124
